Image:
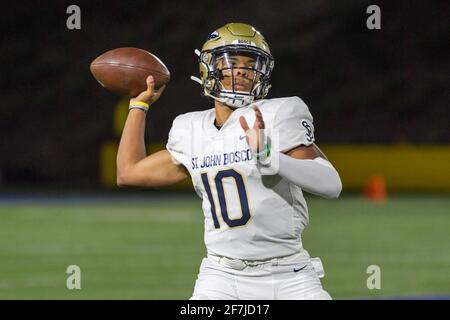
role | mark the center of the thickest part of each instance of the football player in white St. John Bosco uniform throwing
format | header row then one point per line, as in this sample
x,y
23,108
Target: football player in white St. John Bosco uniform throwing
x,y
250,160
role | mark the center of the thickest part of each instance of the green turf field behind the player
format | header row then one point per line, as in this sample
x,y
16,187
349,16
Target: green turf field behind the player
x,y
151,249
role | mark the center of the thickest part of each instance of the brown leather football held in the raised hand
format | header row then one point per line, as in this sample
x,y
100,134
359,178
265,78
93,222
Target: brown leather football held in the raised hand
x,y
124,70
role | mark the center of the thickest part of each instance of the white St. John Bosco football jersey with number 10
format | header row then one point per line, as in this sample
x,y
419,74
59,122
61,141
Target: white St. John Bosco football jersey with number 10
x,y
248,214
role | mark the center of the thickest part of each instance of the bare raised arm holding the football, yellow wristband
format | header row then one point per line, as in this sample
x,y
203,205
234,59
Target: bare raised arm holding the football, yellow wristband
x,y
134,168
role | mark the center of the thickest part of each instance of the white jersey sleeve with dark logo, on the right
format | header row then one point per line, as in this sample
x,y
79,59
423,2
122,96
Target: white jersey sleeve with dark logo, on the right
x,y
294,124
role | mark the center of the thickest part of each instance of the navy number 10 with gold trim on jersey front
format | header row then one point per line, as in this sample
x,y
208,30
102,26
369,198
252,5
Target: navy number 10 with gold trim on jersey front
x,y
221,195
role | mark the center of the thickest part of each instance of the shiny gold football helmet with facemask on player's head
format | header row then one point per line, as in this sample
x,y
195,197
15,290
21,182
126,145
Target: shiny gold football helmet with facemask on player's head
x,y
235,65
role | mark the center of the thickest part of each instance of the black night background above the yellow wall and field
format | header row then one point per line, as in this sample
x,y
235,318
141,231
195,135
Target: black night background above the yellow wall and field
x,y
383,86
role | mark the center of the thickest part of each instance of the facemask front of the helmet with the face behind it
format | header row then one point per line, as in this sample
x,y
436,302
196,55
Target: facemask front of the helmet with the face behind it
x,y
236,75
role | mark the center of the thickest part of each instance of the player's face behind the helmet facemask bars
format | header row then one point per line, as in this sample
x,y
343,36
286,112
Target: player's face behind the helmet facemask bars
x,y
237,70
